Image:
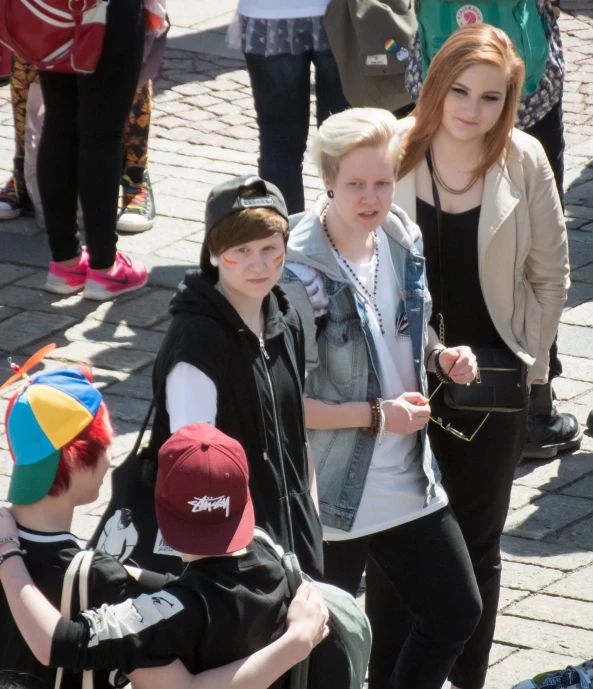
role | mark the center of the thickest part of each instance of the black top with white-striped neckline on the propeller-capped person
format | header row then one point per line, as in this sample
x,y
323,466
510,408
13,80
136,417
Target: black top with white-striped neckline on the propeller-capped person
x,y
47,559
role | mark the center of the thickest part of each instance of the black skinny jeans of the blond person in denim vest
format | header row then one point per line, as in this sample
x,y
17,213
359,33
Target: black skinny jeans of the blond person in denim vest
x,y
427,563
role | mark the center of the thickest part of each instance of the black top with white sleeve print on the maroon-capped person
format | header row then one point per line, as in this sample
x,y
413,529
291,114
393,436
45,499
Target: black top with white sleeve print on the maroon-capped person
x,y
219,610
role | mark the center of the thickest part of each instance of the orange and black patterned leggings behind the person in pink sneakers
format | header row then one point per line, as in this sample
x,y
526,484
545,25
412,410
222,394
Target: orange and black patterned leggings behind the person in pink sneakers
x,y
135,148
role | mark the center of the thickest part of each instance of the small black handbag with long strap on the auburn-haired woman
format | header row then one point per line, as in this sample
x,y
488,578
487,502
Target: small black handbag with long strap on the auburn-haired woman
x,y
501,380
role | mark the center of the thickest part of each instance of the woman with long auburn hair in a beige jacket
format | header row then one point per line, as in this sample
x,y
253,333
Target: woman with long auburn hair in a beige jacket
x,y
498,273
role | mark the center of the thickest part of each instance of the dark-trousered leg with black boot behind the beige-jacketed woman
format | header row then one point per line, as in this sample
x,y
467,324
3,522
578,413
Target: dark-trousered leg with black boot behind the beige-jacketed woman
x,y
550,431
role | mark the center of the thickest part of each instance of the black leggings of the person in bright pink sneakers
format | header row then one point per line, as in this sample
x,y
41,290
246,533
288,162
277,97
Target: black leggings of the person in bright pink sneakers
x,y
80,150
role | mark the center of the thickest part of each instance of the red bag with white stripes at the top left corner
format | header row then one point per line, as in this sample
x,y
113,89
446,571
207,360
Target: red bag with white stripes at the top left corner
x,y
57,35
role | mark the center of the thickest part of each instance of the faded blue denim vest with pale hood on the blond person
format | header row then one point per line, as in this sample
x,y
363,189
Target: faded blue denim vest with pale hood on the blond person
x,y
348,364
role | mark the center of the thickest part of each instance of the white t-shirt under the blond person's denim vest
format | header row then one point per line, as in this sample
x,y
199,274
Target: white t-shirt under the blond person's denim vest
x,y
395,488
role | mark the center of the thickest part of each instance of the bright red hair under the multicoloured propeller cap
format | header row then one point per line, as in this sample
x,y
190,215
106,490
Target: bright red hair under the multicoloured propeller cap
x,y
84,451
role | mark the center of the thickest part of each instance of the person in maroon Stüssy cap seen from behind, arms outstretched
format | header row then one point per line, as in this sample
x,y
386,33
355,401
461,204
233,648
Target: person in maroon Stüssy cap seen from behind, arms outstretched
x,y
204,510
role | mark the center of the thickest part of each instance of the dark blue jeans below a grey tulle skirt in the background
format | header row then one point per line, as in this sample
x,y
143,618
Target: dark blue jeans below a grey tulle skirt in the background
x,y
281,87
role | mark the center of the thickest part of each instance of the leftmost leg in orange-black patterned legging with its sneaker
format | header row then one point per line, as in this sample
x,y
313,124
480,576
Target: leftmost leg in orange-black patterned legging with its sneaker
x,y
13,195
